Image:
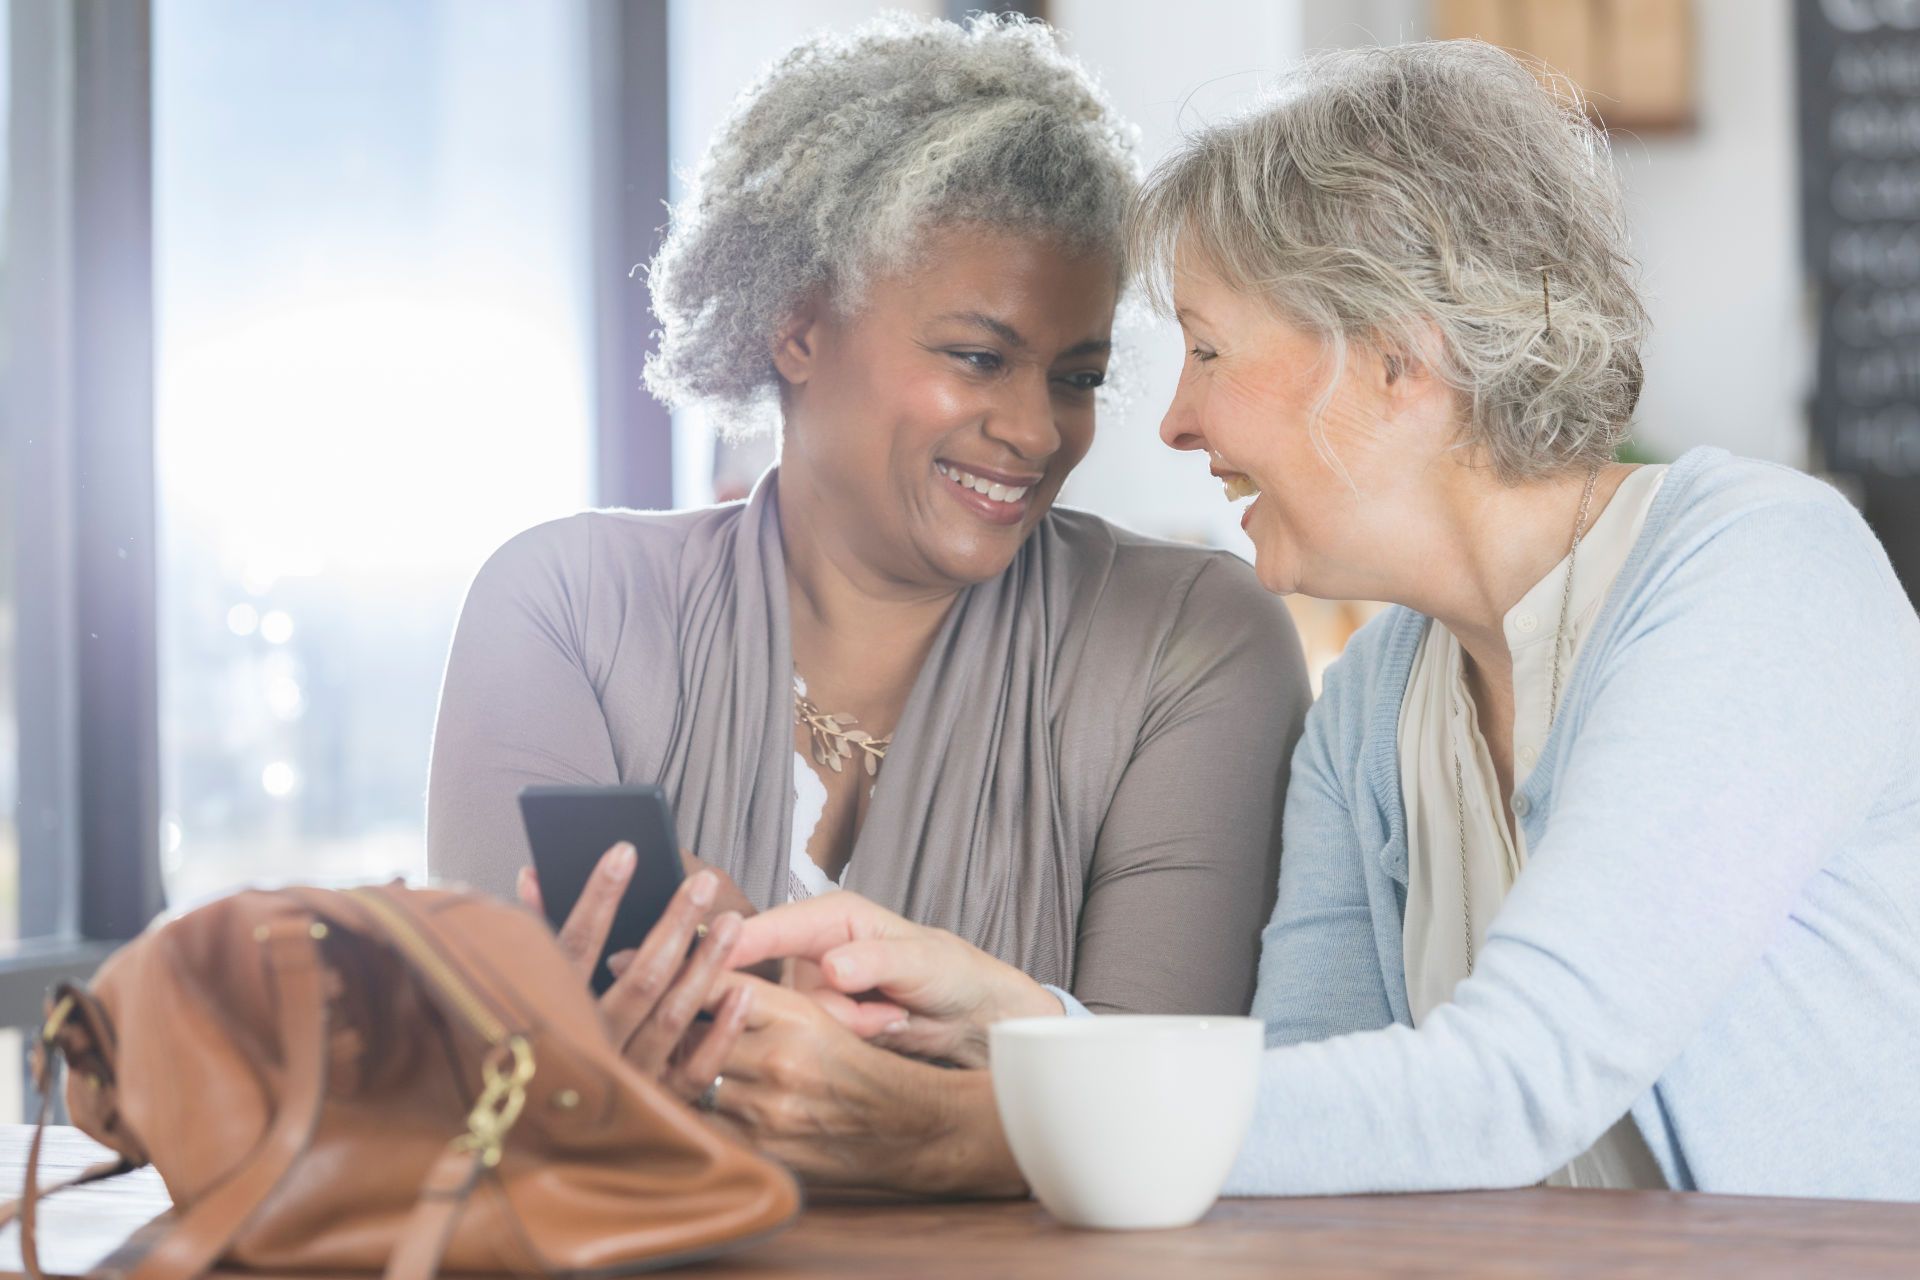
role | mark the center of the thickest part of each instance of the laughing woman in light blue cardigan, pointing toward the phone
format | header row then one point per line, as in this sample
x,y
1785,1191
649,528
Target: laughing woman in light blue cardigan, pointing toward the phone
x,y
1602,849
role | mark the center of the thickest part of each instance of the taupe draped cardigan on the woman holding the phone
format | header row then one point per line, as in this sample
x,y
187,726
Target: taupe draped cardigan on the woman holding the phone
x,y
1088,778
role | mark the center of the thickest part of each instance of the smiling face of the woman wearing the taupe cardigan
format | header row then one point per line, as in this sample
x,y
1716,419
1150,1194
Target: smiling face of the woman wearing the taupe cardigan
x,y
949,408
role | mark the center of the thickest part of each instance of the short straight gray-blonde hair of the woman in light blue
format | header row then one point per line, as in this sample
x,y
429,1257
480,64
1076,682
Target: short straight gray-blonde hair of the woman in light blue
x,y
1420,199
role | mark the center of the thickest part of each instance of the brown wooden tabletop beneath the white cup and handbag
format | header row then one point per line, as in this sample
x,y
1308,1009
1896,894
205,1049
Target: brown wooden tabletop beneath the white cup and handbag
x,y
1472,1235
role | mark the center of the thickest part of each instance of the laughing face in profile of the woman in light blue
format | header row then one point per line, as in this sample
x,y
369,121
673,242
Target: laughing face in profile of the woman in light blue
x,y
1253,394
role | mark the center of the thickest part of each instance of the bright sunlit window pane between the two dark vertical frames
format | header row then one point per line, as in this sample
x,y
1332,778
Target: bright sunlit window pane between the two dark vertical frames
x,y
373,335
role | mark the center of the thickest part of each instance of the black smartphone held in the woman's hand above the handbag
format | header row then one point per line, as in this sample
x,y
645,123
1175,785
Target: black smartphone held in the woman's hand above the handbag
x,y
573,828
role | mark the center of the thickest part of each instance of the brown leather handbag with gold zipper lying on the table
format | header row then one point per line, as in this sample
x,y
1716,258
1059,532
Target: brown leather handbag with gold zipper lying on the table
x,y
385,1078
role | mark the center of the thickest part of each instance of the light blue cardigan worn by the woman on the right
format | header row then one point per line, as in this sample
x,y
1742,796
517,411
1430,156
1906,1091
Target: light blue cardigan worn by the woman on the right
x,y
1719,924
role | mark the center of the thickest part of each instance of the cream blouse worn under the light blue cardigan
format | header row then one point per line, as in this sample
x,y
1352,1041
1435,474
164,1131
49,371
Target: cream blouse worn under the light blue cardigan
x,y
1437,721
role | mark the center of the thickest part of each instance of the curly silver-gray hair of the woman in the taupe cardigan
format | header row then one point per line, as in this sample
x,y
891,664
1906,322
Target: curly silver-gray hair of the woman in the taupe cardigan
x,y
836,162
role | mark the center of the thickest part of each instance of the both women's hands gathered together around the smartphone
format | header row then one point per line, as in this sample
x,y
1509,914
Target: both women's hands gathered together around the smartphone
x,y
842,1068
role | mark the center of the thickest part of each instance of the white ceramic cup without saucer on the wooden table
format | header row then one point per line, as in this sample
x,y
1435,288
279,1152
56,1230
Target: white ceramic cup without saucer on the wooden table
x,y
1126,1124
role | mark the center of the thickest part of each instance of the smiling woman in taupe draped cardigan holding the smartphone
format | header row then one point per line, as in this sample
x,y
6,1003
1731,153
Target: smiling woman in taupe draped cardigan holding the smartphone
x,y
898,669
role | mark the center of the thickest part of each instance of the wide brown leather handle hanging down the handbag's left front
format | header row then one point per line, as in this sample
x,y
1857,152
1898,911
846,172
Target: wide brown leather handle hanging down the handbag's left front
x,y
204,1233
